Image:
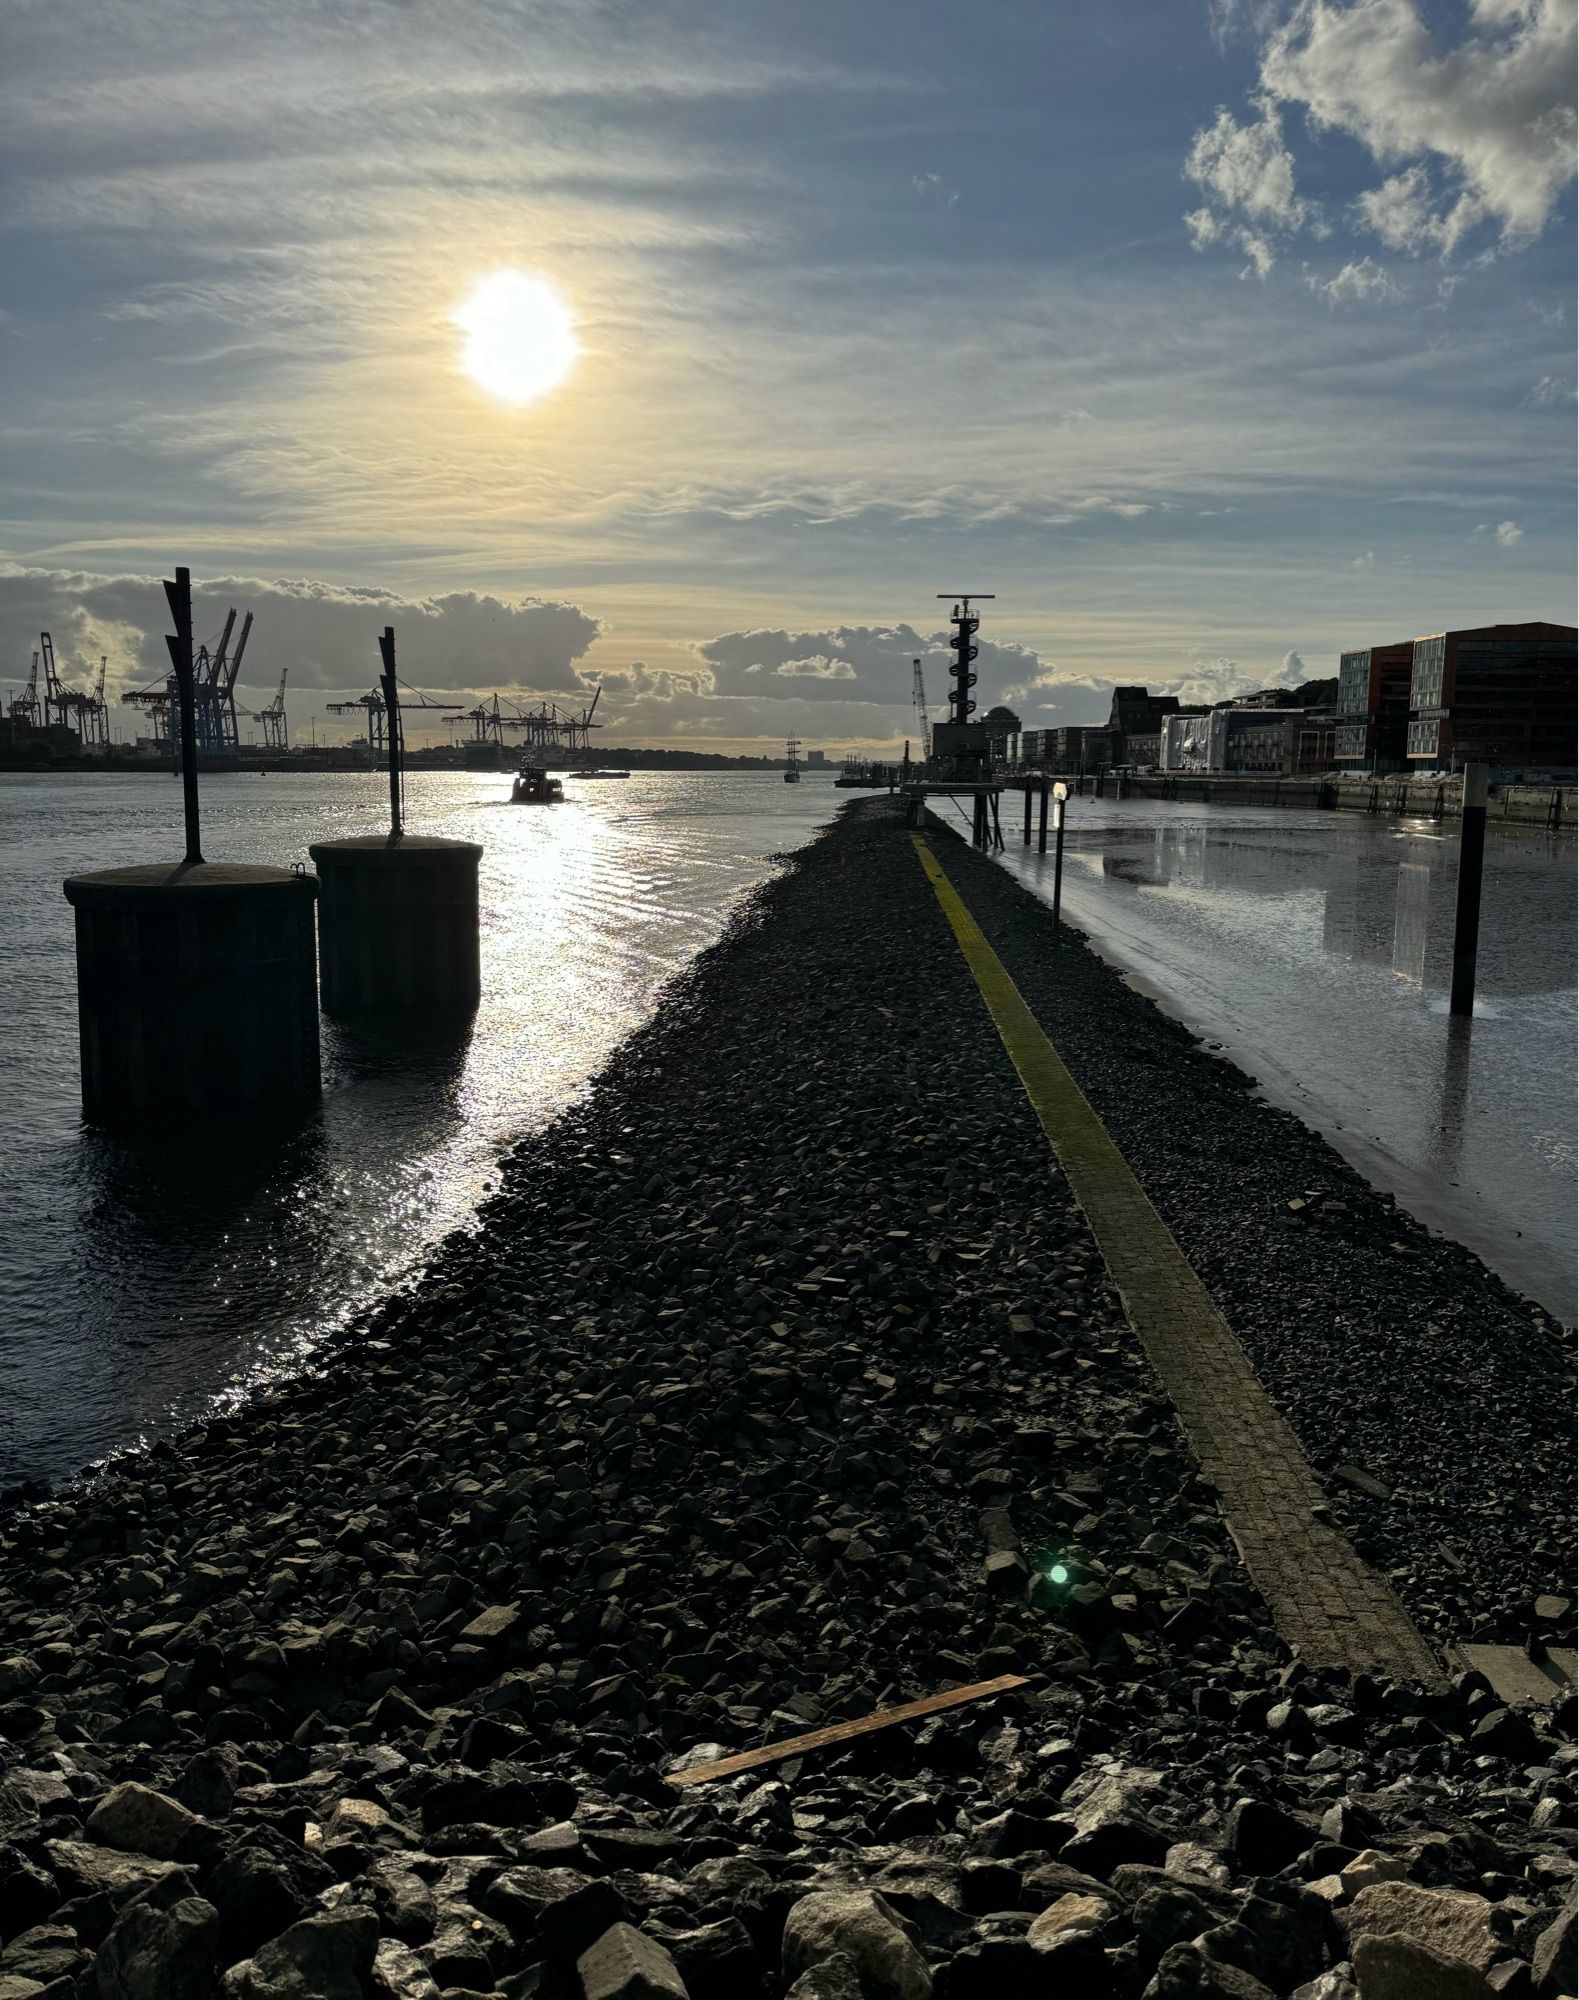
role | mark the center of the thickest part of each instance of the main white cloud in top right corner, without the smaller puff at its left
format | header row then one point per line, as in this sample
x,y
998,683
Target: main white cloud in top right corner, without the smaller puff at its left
x,y
1492,113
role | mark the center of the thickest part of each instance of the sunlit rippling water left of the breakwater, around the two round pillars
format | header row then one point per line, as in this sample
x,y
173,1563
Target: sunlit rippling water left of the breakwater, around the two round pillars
x,y
141,1287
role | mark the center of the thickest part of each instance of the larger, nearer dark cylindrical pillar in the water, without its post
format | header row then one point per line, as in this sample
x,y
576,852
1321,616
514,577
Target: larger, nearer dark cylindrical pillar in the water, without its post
x,y
197,993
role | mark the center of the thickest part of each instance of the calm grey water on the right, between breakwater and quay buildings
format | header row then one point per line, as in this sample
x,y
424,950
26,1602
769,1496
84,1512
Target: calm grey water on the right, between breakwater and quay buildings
x,y
1318,951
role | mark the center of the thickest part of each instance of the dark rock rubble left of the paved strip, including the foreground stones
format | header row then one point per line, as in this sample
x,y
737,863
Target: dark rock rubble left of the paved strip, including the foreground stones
x,y
777,1385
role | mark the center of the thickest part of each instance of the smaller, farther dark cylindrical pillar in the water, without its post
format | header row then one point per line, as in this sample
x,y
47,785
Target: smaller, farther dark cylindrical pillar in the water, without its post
x,y
399,925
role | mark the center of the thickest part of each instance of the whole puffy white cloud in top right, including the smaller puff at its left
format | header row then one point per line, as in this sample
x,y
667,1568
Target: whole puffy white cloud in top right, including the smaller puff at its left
x,y
1478,129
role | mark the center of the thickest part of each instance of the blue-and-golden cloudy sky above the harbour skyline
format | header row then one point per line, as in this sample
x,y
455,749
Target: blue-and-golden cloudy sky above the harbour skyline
x,y
1210,337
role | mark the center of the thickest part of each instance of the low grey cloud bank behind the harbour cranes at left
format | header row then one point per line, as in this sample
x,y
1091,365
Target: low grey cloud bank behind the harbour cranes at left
x,y
325,633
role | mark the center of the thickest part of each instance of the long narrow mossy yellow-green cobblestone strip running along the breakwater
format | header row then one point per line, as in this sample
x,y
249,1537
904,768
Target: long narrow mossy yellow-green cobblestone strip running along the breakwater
x,y
1324,1599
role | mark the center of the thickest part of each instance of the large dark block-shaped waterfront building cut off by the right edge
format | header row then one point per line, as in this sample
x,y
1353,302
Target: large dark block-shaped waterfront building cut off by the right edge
x,y
1494,695
